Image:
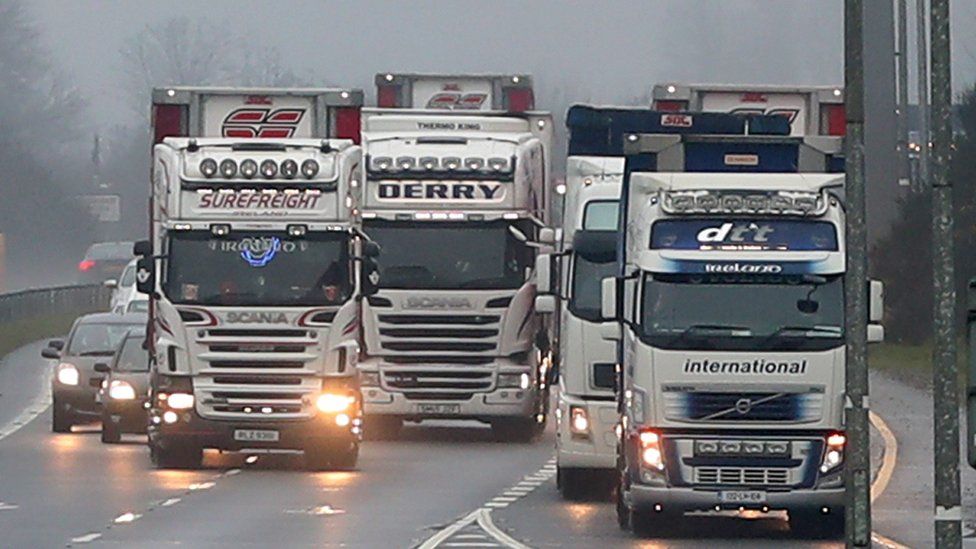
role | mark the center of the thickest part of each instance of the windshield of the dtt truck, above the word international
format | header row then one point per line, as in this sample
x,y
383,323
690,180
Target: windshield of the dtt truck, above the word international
x,y
742,312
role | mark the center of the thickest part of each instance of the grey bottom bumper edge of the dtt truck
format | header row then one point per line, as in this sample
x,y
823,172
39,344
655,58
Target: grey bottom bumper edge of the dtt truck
x,y
645,498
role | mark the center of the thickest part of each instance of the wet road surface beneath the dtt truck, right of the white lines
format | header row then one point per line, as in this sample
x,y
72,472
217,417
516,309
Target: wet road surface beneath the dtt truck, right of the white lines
x,y
544,519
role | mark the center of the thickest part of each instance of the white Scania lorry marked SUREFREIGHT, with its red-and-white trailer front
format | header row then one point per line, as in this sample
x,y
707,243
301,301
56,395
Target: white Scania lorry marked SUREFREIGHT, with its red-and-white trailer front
x,y
254,268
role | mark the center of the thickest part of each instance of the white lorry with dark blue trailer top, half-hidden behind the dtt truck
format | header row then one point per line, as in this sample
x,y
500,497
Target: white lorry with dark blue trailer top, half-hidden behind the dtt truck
x,y
569,282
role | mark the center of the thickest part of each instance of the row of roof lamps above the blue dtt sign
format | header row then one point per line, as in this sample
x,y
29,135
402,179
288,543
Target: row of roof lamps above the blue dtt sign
x,y
781,203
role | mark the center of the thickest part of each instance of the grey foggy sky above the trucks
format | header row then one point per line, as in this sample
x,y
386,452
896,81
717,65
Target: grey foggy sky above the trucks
x,y
604,51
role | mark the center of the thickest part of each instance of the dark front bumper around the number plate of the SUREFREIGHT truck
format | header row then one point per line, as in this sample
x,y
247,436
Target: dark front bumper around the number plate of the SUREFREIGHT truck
x,y
190,429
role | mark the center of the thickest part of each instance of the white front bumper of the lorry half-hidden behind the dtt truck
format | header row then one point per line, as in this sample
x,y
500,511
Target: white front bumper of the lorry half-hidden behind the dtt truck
x,y
597,449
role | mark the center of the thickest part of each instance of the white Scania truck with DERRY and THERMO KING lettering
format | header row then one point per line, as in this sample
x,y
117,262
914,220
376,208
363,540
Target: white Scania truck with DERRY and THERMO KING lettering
x,y
458,202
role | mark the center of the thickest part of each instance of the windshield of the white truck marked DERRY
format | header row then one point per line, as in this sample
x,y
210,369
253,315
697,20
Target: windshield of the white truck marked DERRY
x,y
449,255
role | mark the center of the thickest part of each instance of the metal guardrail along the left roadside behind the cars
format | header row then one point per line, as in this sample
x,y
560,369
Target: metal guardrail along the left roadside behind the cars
x,y
76,300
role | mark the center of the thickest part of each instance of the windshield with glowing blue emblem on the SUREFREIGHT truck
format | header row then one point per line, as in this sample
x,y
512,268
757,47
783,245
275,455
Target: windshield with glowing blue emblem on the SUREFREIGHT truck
x,y
257,268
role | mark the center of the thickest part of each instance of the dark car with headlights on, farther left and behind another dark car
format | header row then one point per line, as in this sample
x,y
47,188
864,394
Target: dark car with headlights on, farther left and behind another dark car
x,y
75,384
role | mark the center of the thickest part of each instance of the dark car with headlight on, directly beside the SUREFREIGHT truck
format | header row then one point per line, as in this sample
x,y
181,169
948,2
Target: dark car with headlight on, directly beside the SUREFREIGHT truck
x,y
125,390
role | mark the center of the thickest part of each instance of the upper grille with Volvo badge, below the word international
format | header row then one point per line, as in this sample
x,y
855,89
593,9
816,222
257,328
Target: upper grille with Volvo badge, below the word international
x,y
743,407
